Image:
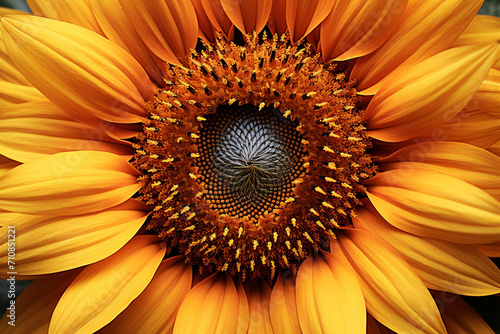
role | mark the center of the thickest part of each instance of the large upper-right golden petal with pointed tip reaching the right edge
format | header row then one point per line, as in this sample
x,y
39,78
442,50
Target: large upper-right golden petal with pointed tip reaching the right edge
x,y
427,95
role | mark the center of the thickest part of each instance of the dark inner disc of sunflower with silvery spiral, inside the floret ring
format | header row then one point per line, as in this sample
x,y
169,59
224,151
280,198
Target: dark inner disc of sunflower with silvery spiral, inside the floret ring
x,y
249,159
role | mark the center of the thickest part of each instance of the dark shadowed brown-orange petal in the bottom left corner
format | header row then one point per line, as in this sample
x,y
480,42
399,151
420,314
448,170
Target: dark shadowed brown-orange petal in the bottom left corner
x,y
34,307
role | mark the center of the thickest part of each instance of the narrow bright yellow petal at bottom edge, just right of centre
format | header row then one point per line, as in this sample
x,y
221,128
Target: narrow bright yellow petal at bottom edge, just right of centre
x,y
283,306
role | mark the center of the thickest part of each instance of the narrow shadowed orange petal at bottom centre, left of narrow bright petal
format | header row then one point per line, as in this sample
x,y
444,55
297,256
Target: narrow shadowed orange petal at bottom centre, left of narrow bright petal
x,y
259,296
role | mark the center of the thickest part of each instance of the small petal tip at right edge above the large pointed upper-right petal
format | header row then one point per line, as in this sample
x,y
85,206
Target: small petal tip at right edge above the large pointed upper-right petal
x,y
483,29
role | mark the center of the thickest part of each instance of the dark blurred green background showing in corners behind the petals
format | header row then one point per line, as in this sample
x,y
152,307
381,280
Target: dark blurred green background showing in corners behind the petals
x,y
488,307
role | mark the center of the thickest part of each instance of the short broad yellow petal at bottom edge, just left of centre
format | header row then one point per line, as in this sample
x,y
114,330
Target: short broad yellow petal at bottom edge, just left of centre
x,y
212,306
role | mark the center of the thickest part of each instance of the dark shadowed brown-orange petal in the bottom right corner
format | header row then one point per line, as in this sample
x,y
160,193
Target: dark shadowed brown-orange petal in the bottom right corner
x,y
458,316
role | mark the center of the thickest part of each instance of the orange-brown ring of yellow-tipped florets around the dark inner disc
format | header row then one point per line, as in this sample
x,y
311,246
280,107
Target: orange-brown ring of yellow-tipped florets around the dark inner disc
x,y
266,74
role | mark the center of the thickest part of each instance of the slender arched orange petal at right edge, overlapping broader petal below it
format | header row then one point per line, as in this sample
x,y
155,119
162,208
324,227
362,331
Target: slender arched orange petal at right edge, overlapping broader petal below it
x,y
466,162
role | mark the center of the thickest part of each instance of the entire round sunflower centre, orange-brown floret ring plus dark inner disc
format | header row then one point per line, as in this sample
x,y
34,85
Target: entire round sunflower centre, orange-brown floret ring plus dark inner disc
x,y
252,157
